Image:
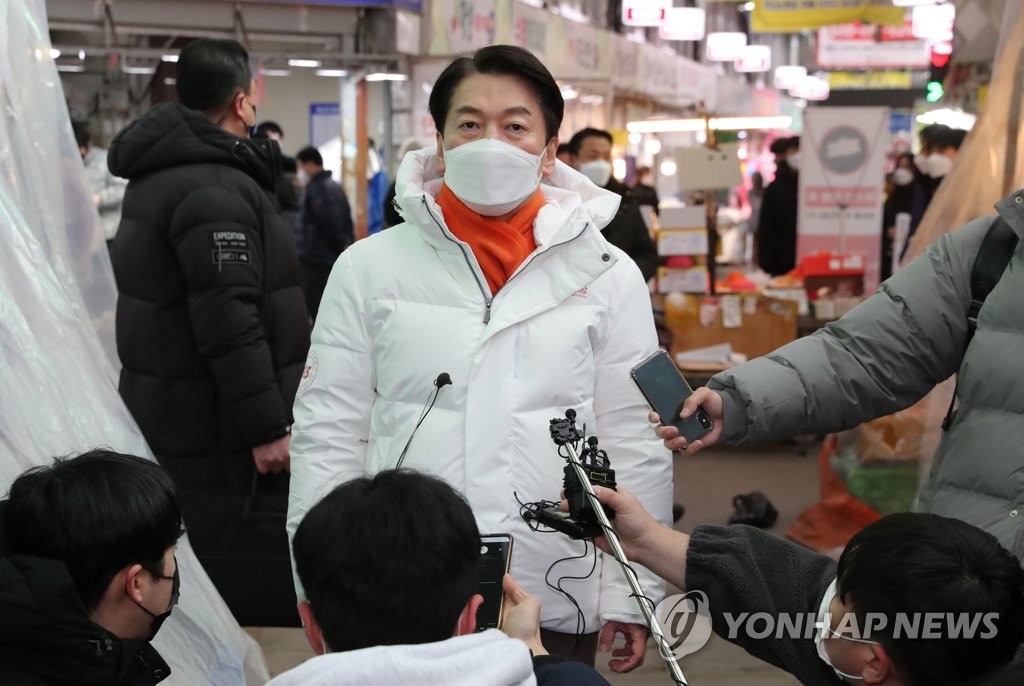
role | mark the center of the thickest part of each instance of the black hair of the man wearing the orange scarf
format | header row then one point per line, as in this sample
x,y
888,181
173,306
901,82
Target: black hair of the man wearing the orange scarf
x,y
500,61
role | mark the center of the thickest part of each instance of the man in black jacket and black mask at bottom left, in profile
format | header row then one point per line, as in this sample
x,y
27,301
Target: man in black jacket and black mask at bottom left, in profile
x,y
88,572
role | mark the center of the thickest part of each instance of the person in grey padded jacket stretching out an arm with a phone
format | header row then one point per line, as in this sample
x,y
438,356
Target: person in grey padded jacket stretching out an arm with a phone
x,y
888,354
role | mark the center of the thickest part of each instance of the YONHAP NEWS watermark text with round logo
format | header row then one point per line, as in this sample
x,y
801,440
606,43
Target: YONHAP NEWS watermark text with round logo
x,y
687,624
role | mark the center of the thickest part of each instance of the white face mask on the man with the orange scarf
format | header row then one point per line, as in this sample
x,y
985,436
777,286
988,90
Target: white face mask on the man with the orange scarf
x,y
492,178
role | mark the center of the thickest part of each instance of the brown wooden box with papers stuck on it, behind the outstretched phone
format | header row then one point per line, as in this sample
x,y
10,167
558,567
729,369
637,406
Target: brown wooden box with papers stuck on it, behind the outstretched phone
x,y
773,324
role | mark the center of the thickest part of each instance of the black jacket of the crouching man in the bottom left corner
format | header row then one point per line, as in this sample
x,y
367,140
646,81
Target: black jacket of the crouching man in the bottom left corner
x,y
48,638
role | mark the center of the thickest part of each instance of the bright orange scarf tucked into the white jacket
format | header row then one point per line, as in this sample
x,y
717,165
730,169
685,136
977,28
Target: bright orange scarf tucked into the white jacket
x,y
500,247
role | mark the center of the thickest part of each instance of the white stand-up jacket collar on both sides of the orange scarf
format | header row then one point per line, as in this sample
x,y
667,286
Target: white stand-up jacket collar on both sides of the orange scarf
x,y
573,201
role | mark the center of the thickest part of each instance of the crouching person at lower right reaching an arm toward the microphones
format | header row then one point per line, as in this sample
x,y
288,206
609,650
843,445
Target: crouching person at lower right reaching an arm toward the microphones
x,y
893,611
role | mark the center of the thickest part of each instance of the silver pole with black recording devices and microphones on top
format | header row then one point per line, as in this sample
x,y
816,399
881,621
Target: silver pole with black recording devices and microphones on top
x,y
588,519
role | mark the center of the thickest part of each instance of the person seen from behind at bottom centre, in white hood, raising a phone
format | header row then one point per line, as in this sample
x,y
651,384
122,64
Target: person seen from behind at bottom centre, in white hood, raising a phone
x,y
371,621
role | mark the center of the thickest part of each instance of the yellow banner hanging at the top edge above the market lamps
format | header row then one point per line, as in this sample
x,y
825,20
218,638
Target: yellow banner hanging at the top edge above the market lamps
x,y
789,16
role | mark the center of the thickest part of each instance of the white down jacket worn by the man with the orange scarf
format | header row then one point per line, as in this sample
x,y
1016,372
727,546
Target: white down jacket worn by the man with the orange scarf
x,y
411,303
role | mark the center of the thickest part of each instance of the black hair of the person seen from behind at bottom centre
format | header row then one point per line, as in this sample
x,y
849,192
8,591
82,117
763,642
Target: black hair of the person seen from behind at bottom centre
x,y
389,561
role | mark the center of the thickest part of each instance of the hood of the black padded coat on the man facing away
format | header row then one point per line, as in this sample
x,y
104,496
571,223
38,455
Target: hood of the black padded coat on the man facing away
x,y
172,136
